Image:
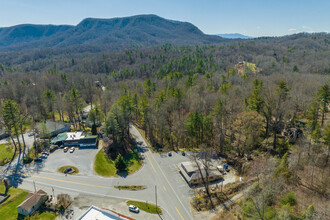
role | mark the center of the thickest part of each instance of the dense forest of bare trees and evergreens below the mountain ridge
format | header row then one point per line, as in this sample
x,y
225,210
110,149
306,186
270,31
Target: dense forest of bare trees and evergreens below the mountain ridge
x,y
263,99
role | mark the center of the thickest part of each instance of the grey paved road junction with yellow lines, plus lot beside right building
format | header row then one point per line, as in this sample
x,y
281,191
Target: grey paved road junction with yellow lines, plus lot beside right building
x,y
158,170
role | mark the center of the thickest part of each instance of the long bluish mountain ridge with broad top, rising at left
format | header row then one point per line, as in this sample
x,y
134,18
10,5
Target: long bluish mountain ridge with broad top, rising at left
x,y
140,30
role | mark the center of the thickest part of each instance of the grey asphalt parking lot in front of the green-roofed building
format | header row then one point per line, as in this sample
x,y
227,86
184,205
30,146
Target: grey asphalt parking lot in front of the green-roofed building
x,y
81,158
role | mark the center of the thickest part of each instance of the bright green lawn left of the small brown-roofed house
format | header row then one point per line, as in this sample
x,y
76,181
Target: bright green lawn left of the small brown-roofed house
x,y
8,209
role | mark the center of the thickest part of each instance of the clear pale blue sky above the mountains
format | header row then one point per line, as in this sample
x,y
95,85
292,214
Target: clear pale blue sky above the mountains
x,y
249,17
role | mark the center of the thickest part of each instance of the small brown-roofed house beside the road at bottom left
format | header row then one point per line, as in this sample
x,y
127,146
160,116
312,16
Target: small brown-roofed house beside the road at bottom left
x,y
32,202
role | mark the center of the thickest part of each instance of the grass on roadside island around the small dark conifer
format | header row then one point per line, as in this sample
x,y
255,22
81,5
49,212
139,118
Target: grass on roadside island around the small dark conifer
x,y
104,166
